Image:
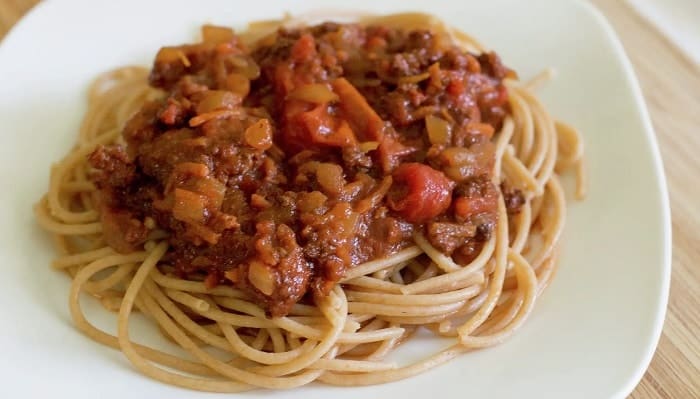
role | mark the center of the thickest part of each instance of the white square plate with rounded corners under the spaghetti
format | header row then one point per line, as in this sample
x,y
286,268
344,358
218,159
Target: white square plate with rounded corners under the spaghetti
x,y
593,332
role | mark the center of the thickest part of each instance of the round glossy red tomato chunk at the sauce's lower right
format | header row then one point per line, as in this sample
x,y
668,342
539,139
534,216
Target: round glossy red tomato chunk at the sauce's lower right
x,y
419,192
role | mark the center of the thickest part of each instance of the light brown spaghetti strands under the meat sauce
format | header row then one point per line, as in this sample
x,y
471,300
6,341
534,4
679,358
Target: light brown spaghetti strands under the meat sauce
x,y
344,337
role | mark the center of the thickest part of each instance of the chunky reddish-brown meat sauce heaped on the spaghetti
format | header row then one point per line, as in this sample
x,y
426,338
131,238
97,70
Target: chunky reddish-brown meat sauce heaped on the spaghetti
x,y
277,169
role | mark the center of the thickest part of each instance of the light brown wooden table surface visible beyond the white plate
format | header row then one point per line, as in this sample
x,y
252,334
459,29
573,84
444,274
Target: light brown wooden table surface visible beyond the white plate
x,y
671,84
